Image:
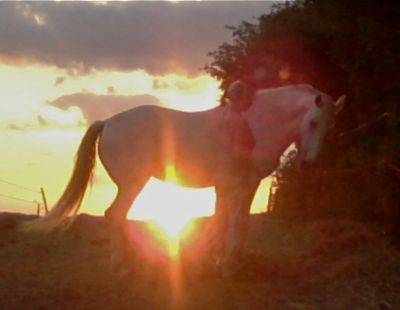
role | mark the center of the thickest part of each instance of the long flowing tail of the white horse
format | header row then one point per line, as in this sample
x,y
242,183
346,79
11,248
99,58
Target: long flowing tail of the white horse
x,y
71,199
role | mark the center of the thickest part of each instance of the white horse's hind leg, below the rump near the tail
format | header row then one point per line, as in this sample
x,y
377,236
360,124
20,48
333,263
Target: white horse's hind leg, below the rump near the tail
x,y
116,217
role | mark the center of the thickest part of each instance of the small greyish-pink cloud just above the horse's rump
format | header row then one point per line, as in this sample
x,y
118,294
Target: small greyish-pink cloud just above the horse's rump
x,y
99,107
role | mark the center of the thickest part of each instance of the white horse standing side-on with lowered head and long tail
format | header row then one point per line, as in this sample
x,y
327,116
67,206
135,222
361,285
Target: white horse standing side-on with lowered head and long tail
x,y
144,141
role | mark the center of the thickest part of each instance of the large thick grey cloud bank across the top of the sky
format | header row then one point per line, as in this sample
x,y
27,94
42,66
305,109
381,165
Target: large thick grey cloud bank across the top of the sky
x,y
156,36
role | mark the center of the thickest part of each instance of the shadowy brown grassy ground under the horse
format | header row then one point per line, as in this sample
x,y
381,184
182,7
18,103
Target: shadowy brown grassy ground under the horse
x,y
323,264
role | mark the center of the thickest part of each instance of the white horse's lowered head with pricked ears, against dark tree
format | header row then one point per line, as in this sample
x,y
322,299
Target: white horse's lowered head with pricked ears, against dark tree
x,y
315,125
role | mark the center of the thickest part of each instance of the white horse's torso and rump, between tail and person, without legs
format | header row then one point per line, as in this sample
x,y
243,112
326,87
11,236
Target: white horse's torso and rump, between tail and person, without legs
x,y
144,140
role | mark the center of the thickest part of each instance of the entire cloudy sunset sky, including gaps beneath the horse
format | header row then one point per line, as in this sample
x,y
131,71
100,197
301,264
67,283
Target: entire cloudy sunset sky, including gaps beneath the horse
x,y
65,64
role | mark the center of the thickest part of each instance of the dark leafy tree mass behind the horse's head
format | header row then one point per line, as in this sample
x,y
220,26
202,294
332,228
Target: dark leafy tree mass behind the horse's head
x,y
339,47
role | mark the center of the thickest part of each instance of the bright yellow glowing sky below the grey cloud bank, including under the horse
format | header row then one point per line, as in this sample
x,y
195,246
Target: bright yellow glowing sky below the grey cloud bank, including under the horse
x,y
39,140
